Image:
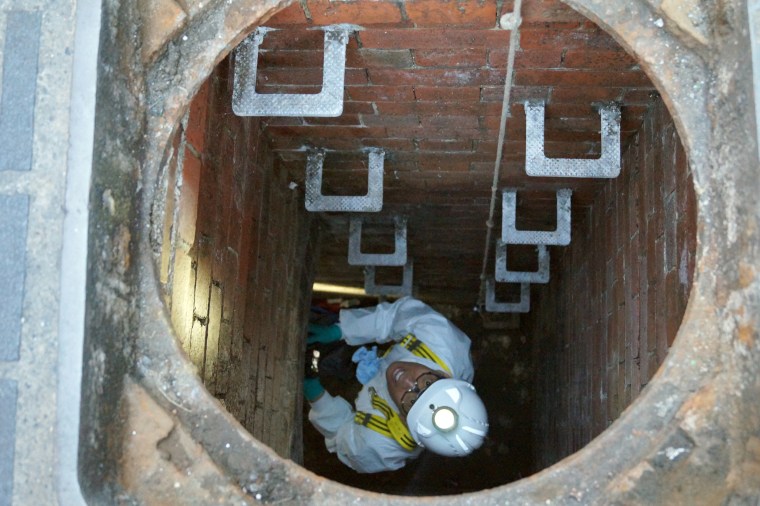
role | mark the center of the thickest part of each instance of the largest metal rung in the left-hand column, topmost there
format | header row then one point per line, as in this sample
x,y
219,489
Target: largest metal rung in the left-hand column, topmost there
x,y
327,103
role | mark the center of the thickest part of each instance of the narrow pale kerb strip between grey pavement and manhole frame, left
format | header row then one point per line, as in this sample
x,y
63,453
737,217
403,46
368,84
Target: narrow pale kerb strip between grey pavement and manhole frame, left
x,y
74,248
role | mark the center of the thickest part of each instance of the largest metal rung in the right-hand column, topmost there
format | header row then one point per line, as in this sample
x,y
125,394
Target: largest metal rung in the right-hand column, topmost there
x,y
537,164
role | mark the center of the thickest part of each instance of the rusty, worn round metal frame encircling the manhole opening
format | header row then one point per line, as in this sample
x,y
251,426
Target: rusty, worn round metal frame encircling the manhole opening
x,y
600,470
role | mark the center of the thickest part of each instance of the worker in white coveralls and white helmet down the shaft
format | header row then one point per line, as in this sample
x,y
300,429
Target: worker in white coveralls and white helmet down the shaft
x,y
418,395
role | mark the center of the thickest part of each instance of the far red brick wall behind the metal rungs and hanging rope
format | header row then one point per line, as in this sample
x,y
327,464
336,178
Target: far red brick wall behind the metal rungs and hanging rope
x,y
424,82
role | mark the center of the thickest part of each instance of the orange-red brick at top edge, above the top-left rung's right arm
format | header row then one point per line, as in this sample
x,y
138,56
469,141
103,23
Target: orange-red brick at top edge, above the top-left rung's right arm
x,y
377,13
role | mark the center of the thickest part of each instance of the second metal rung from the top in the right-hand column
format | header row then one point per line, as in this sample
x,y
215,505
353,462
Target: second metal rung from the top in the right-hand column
x,y
510,235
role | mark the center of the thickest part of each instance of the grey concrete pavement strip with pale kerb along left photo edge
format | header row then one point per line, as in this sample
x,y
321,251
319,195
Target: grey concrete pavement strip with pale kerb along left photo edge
x,y
49,51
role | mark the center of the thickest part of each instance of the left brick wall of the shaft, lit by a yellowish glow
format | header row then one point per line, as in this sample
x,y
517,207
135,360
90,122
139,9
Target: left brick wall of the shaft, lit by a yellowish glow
x,y
238,271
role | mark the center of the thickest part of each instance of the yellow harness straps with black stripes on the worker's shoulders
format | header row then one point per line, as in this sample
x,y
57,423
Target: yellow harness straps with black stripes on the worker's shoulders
x,y
391,425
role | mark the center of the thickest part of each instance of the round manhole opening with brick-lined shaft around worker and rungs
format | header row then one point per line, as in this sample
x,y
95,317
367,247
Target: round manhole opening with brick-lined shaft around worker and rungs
x,y
241,252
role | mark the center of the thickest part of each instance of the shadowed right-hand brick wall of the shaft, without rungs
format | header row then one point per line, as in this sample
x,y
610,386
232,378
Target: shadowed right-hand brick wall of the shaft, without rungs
x,y
617,295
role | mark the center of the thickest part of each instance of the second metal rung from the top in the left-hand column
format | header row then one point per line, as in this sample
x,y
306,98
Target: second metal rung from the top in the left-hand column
x,y
371,202
